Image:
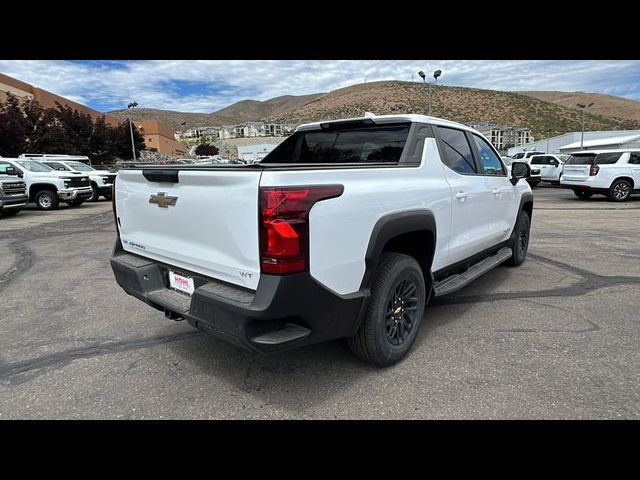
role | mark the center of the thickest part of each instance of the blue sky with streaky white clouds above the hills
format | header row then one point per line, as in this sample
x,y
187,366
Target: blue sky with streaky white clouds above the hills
x,y
208,85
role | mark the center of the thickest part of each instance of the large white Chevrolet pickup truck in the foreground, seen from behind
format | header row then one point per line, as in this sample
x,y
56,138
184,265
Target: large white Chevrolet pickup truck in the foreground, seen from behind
x,y
346,229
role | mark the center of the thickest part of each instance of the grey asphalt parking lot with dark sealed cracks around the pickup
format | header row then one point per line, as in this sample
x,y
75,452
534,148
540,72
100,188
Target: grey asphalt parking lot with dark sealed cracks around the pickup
x,y
556,338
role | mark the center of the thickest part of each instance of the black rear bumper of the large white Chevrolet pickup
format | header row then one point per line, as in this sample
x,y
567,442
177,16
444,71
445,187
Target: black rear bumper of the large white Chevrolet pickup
x,y
284,312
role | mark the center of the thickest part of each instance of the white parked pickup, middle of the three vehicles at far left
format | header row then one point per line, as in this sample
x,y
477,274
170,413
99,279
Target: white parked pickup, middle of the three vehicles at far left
x,y
46,186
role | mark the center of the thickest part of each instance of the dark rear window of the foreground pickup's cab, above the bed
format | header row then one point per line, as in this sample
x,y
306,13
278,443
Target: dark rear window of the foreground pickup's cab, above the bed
x,y
351,144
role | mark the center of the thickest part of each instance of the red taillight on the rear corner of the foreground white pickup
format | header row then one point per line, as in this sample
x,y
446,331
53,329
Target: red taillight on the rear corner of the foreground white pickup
x,y
284,226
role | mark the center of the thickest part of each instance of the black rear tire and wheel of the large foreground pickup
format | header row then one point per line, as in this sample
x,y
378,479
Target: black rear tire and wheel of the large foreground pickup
x,y
395,310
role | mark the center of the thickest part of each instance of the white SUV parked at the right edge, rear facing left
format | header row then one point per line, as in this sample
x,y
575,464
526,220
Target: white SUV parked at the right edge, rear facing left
x,y
614,173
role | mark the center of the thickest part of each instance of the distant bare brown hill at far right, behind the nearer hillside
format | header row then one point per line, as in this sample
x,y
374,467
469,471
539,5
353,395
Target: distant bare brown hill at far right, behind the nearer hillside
x,y
607,105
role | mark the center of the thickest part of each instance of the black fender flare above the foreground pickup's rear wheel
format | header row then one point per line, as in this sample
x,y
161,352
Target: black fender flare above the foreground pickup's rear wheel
x,y
390,226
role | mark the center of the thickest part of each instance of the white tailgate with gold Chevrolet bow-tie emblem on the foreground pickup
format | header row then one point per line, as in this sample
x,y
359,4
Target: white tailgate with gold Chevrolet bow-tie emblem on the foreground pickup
x,y
210,229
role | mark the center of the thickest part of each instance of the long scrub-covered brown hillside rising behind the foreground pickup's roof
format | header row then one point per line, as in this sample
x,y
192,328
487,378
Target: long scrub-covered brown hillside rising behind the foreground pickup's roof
x,y
455,103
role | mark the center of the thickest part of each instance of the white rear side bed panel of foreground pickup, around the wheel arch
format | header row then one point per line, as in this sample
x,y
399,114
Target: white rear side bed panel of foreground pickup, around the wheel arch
x,y
340,228
